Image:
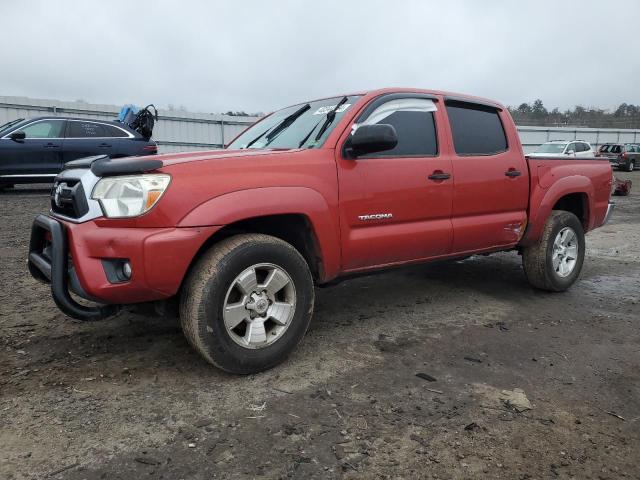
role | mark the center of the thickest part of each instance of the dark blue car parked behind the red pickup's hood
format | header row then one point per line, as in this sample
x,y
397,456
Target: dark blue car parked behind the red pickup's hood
x,y
35,150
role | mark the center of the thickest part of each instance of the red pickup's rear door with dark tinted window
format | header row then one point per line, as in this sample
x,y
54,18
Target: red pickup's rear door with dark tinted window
x,y
491,181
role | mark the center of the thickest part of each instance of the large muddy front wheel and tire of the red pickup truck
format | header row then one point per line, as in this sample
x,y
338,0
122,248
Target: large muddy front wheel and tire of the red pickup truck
x,y
219,279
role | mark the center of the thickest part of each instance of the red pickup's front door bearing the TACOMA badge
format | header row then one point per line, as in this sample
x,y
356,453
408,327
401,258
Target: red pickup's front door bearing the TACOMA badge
x,y
390,210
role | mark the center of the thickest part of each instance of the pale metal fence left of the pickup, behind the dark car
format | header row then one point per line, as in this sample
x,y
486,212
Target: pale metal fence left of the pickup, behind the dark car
x,y
176,130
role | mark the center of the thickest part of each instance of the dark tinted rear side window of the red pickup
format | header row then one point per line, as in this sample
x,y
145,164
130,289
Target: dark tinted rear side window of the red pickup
x,y
476,129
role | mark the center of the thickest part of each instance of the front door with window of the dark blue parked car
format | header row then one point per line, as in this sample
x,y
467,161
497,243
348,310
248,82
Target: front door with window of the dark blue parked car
x,y
39,154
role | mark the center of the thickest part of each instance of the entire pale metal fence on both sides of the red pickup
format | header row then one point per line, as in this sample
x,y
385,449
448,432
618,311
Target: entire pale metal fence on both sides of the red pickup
x,y
179,130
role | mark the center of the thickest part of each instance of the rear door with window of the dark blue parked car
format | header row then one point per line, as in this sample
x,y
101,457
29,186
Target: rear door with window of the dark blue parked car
x,y
84,138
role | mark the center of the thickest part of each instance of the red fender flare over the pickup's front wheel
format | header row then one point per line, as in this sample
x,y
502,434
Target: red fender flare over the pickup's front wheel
x,y
260,202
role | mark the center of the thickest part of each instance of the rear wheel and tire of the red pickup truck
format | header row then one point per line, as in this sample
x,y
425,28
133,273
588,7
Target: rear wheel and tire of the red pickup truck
x,y
538,259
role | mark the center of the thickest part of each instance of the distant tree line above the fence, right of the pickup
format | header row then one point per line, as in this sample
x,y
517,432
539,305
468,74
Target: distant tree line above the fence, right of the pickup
x,y
536,114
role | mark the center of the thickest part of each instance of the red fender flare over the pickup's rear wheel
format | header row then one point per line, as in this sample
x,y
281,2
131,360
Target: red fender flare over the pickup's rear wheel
x,y
546,199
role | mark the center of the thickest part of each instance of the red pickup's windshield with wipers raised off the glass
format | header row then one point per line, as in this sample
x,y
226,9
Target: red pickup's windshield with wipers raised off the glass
x,y
296,126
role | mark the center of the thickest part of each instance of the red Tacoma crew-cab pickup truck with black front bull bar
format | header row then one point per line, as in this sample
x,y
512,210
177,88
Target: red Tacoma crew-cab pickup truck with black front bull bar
x,y
238,237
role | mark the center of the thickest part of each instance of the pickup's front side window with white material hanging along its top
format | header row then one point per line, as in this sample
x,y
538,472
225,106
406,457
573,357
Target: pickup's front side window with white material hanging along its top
x,y
414,122
